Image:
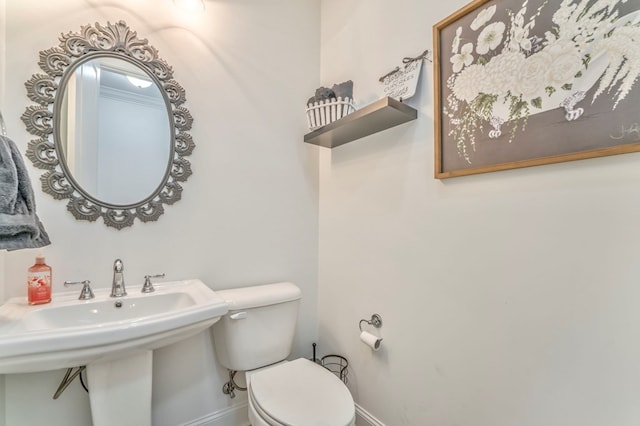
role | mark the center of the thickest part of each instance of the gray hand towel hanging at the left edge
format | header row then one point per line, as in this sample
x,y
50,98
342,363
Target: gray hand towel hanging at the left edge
x,y
19,225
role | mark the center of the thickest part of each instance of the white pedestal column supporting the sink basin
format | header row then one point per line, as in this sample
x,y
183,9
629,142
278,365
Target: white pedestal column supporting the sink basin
x,y
120,390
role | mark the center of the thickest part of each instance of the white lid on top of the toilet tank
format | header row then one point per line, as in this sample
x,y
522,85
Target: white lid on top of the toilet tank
x,y
260,295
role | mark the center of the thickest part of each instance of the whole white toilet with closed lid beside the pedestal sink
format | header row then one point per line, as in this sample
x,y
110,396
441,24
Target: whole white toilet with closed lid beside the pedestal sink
x,y
255,337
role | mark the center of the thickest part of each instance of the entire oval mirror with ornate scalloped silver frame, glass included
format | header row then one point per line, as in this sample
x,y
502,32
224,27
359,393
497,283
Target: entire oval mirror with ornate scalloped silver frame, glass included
x,y
112,128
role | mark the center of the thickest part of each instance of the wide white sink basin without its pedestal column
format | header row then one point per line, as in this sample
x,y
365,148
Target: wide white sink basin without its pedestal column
x,y
69,332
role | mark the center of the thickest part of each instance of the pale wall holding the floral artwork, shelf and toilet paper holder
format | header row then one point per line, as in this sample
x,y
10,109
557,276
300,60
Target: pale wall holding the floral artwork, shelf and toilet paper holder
x,y
508,298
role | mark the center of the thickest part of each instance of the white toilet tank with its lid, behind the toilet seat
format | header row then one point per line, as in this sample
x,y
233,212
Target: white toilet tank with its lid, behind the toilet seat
x,y
258,330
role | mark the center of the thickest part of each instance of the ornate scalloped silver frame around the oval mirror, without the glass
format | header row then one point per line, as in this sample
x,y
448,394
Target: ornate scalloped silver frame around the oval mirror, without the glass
x,y
112,40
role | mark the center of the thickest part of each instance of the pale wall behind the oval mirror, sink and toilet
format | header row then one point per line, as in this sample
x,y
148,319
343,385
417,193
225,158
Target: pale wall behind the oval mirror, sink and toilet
x,y
249,212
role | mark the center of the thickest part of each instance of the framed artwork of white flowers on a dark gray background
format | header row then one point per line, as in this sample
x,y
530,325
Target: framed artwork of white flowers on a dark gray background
x,y
522,83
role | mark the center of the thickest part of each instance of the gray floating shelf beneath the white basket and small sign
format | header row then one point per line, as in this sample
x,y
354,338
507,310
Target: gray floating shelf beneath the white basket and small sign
x,y
376,117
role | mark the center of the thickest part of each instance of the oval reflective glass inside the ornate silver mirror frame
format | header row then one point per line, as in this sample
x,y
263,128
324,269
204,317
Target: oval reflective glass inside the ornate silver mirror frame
x,y
113,131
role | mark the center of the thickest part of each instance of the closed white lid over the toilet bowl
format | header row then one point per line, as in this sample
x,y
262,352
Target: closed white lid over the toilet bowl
x,y
302,392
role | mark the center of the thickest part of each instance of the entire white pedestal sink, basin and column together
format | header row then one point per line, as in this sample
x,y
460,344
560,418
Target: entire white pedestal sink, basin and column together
x,y
113,337
